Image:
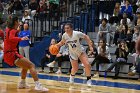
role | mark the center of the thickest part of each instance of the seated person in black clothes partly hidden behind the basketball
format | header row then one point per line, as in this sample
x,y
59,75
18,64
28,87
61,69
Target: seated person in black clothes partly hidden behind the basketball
x,y
48,57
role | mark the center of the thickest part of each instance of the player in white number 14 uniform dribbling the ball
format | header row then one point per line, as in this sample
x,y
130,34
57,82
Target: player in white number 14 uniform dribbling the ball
x,y
76,51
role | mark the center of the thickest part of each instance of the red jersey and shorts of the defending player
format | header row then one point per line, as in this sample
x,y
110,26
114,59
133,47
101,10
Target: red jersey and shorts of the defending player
x,y
10,46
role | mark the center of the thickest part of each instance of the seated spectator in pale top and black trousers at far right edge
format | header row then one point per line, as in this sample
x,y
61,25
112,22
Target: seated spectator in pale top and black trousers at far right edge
x,y
134,39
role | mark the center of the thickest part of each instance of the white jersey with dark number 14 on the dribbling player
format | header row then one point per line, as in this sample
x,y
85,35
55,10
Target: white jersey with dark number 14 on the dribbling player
x,y
73,42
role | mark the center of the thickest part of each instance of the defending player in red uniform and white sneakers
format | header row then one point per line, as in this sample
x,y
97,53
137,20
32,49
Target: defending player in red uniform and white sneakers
x,y
12,57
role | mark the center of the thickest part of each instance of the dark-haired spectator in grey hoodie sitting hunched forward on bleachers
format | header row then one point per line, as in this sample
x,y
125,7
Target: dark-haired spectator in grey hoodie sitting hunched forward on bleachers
x,y
103,32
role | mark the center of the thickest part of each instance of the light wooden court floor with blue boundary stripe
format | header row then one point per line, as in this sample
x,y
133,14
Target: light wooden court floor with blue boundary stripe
x,y
9,79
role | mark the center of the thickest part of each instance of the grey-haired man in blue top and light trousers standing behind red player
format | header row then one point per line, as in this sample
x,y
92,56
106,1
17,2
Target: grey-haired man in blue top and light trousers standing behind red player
x,y
25,44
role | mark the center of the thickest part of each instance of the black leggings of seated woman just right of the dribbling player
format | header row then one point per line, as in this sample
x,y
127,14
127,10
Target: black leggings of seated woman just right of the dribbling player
x,y
98,60
